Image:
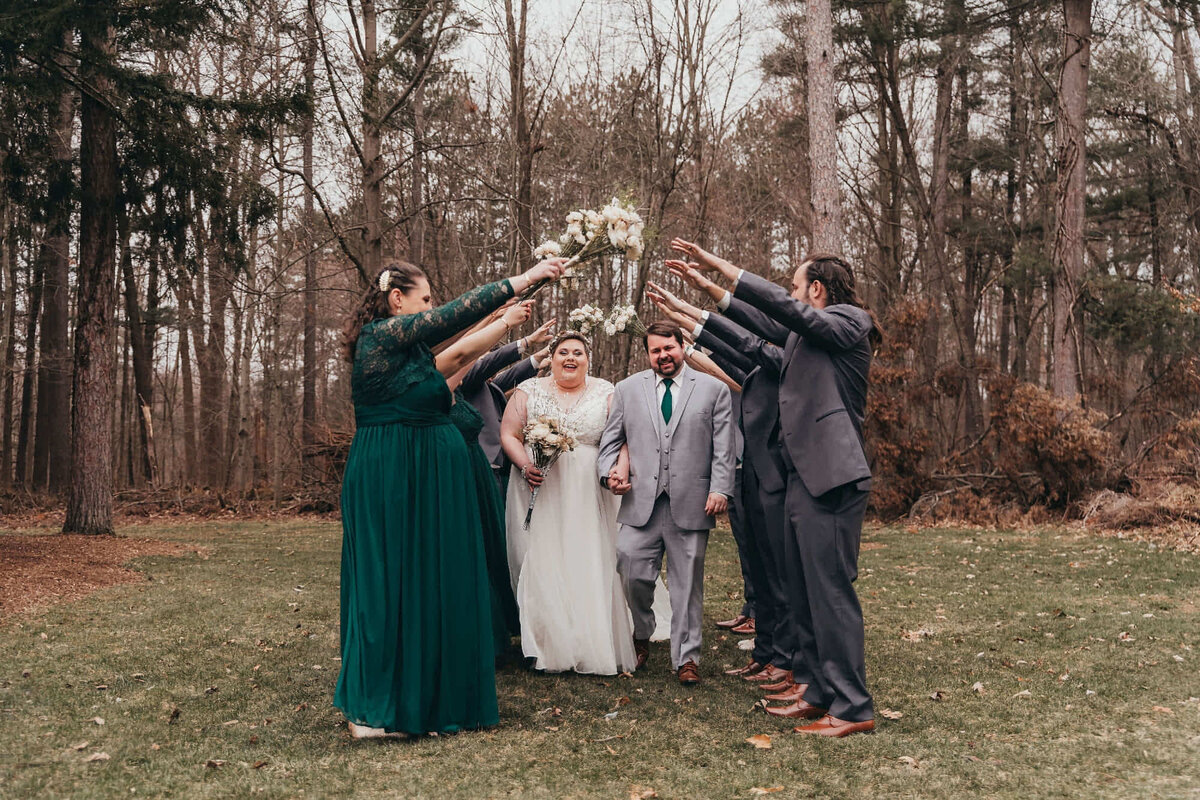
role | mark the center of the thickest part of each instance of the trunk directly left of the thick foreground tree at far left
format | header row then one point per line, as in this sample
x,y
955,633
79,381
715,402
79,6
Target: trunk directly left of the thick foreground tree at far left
x,y
52,441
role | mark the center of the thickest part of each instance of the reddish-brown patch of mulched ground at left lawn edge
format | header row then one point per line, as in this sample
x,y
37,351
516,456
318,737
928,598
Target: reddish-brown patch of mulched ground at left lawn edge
x,y
47,570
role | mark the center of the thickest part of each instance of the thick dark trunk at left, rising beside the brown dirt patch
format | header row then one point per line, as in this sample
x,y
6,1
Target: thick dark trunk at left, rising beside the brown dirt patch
x,y
91,500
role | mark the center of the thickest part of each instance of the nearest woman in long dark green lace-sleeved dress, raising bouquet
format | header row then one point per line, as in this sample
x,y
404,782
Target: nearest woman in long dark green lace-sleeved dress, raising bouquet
x,y
417,631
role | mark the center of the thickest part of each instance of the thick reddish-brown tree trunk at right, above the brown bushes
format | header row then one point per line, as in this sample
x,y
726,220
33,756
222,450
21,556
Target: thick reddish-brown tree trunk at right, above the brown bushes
x,y
1070,197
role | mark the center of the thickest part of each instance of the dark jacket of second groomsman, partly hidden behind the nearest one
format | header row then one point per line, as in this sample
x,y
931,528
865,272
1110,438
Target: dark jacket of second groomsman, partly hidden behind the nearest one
x,y
760,398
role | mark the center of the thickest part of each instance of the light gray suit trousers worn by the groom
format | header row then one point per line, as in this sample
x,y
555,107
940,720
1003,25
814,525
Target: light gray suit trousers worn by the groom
x,y
640,561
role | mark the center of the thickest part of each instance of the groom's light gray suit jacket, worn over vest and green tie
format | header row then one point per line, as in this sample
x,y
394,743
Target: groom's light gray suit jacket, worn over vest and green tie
x,y
689,459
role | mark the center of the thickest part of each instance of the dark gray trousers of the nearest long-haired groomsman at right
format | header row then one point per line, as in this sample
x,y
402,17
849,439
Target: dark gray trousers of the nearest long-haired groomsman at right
x,y
823,539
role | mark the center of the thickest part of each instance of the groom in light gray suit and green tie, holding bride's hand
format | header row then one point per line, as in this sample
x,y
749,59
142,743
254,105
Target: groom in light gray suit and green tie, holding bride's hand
x,y
680,430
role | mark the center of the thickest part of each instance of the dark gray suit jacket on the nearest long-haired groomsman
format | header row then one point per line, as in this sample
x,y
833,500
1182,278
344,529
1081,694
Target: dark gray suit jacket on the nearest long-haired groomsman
x,y
823,386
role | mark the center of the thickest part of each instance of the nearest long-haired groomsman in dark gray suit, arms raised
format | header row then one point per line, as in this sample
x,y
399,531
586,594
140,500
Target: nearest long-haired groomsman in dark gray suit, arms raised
x,y
823,399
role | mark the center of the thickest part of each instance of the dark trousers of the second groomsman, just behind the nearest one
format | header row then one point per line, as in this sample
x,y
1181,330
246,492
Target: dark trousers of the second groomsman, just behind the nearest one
x,y
775,639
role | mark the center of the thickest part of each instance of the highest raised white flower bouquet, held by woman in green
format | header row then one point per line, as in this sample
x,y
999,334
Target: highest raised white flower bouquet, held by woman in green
x,y
615,230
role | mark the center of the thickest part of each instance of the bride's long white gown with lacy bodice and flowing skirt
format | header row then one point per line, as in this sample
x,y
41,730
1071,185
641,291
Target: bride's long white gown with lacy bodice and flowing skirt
x,y
565,568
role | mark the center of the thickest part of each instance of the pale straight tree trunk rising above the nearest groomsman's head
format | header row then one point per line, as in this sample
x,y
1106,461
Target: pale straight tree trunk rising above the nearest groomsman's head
x,y
827,232
